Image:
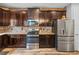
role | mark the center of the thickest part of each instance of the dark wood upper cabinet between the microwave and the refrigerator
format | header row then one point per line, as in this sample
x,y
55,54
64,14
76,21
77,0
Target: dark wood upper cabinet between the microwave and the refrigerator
x,y
47,18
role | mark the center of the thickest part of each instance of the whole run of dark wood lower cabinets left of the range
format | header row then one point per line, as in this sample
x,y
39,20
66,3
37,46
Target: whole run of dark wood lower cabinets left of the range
x,y
12,41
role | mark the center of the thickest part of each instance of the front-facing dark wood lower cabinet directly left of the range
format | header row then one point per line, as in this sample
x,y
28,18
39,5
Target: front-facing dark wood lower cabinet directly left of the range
x,y
17,41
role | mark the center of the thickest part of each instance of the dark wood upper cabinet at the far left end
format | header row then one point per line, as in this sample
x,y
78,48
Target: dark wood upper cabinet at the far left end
x,y
4,17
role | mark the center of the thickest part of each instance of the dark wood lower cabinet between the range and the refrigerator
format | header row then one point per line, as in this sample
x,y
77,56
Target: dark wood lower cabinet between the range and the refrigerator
x,y
46,41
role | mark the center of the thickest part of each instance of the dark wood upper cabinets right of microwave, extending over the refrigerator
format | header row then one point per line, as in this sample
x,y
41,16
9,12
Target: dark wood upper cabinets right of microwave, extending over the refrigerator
x,y
50,17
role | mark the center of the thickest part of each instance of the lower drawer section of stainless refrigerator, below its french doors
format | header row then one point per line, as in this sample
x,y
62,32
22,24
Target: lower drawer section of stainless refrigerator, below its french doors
x,y
65,44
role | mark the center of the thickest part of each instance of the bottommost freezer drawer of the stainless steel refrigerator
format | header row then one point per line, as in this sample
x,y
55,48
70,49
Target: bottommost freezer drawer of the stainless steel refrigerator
x,y
64,46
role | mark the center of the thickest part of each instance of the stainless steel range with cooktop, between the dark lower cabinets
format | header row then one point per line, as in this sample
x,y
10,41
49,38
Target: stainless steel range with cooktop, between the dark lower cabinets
x,y
32,39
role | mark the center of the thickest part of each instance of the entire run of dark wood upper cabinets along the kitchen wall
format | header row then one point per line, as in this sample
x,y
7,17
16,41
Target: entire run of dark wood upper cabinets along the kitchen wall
x,y
20,16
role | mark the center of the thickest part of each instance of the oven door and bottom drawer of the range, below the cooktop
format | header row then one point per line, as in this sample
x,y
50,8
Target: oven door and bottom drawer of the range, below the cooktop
x,y
32,42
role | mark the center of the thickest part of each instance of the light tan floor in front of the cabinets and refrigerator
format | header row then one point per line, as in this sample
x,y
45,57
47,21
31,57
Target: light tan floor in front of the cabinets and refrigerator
x,y
40,51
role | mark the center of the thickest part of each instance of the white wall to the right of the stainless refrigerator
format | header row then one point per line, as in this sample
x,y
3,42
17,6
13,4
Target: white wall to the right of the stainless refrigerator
x,y
73,13
